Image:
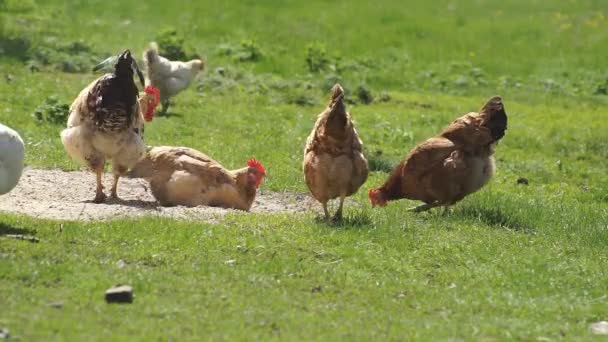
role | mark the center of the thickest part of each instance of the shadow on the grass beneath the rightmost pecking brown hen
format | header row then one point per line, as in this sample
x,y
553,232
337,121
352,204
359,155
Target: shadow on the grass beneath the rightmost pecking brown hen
x,y
494,217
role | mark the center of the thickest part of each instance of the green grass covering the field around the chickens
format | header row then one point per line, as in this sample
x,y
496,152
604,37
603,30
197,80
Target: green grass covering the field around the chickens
x,y
511,261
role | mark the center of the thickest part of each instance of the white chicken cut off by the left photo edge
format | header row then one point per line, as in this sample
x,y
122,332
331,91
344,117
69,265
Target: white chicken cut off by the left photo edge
x,y
12,152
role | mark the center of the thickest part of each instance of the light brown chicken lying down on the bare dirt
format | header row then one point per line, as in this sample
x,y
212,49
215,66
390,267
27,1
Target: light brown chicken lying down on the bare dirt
x,y
184,176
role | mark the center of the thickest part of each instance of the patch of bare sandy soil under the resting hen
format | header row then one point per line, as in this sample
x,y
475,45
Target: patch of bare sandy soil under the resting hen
x,y
56,194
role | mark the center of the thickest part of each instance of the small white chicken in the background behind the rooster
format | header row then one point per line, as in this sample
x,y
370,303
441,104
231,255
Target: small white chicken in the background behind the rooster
x,y
170,77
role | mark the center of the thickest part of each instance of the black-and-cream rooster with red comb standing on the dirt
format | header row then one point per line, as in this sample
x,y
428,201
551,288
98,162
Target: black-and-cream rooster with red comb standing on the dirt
x,y
106,121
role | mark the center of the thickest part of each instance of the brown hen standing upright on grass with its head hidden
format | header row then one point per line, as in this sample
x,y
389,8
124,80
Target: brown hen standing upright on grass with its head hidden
x,y
334,165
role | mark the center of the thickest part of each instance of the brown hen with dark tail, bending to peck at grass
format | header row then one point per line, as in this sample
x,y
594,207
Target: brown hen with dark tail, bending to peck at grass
x,y
444,169
